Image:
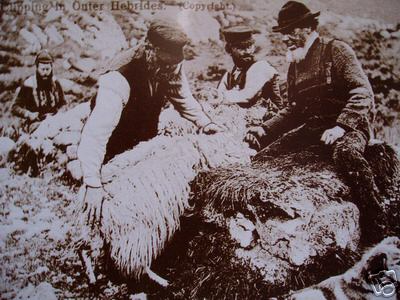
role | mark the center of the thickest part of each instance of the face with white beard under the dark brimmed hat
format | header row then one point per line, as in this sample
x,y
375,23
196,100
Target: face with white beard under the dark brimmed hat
x,y
295,40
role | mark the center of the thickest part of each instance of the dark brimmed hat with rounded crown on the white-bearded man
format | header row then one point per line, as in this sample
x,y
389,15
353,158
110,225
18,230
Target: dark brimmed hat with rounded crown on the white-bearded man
x,y
292,14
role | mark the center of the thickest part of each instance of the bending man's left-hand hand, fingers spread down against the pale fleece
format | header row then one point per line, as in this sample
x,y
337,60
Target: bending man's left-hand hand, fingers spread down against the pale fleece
x,y
93,201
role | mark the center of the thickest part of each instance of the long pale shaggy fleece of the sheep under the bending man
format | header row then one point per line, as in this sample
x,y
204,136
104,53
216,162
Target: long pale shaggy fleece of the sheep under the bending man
x,y
149,189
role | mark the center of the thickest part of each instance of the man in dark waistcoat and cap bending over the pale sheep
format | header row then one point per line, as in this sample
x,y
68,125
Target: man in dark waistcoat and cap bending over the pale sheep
x,y
129,101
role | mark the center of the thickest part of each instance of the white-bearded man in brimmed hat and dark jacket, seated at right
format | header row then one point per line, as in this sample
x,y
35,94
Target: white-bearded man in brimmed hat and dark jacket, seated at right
x,y
330,102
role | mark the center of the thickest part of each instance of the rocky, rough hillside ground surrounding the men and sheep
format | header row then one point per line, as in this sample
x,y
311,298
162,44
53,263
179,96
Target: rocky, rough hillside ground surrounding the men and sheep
x,y
36,242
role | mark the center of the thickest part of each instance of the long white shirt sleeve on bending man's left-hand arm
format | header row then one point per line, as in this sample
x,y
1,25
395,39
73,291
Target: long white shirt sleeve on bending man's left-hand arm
x,y
112,95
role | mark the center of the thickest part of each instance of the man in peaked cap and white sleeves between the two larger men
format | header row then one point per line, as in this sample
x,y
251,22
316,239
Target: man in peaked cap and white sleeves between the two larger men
x,y
250,80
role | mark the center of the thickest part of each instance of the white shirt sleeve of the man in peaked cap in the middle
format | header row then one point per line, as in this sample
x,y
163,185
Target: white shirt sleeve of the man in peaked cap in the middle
x,y
257,76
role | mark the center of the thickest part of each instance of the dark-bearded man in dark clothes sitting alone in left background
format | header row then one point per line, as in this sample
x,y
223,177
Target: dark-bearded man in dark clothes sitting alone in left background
x,y
41,94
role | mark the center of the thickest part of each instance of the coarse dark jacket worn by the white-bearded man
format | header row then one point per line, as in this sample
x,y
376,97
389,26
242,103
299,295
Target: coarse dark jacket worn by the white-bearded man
x,y
327,88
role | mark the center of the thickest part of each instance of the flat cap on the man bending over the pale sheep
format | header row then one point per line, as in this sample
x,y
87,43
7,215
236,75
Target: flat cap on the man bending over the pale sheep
x,y
169,37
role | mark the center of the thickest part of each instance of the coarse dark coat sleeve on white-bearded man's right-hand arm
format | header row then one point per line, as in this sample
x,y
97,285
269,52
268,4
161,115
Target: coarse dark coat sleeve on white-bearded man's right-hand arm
x,y
360,104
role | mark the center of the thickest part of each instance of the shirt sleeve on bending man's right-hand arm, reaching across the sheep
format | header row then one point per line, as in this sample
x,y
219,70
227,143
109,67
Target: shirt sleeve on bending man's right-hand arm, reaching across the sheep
x,y
180,96
